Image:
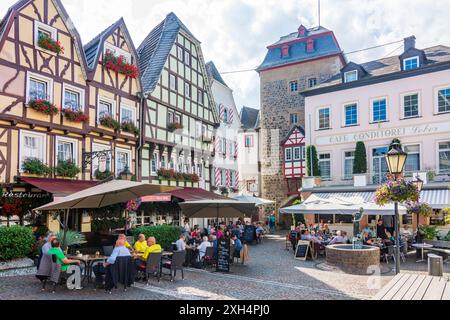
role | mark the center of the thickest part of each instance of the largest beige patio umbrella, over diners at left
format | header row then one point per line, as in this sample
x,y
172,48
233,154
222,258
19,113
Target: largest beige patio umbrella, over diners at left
x,y
106,194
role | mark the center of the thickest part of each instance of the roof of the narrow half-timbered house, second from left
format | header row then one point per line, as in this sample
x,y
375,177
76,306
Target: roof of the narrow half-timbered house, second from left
x,y
94,48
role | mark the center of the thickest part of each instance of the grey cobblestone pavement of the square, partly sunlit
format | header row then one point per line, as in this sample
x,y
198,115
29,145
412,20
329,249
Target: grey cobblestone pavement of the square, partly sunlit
x,y
272,273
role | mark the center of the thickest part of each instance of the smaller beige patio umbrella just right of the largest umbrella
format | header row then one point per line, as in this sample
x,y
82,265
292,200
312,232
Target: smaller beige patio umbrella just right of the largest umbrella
x,y
217,209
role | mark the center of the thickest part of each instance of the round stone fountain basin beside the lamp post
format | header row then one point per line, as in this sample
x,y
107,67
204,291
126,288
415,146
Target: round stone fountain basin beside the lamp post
x,y
354,261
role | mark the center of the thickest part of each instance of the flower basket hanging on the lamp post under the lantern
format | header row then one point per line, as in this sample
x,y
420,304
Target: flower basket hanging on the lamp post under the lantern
x,y
397,191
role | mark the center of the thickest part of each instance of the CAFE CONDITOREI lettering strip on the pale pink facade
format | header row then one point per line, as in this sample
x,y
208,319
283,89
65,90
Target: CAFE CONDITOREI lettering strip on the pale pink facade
x,y
388,133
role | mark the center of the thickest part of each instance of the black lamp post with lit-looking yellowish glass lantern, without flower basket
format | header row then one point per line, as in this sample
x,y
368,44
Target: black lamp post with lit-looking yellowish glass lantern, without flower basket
x,y
396,160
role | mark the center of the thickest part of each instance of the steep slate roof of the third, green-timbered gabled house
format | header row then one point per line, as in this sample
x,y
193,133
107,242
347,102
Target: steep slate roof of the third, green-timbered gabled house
x,y
155,49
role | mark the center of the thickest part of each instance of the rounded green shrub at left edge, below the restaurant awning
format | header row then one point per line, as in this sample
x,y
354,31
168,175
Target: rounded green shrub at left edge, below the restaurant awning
x,y
15,242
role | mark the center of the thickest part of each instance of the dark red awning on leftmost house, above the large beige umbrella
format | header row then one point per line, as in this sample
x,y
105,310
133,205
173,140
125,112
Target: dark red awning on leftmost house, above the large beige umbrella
x,y
59,187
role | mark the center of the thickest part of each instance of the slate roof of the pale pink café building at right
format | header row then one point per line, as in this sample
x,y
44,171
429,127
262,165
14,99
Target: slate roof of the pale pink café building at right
x,y
391,65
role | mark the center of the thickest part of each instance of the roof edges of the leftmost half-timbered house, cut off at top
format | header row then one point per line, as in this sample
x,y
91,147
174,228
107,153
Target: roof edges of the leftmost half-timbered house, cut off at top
x,y
14,10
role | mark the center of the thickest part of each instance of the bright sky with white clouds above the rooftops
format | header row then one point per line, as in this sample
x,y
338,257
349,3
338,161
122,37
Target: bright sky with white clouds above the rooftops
x,y
235,33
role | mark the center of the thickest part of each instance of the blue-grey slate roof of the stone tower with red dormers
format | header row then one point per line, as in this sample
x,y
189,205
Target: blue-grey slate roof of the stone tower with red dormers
x,y
324,45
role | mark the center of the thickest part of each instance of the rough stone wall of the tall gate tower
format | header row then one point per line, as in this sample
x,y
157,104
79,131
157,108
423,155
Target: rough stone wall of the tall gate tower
x,y
277,104
